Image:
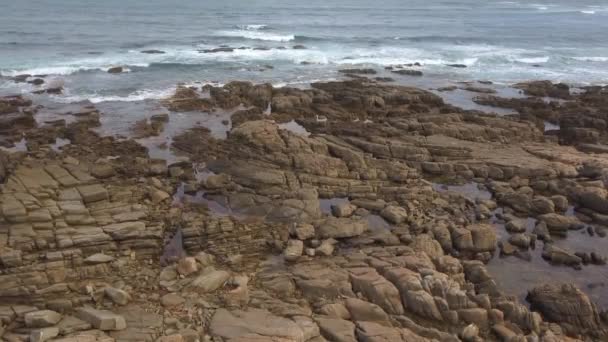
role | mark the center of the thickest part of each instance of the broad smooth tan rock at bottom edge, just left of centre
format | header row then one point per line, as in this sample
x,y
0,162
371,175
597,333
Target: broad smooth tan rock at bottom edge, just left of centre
x,y
239,325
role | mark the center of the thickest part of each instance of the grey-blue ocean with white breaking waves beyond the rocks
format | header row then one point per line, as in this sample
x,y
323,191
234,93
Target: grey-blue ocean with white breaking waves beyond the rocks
x,y
287,42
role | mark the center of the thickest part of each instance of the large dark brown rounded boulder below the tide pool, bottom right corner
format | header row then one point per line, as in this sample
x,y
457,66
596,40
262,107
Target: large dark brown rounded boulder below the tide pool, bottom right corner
x,y
564,303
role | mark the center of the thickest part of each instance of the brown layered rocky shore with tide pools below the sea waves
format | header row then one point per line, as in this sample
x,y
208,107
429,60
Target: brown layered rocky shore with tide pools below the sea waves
x,y
349,211
